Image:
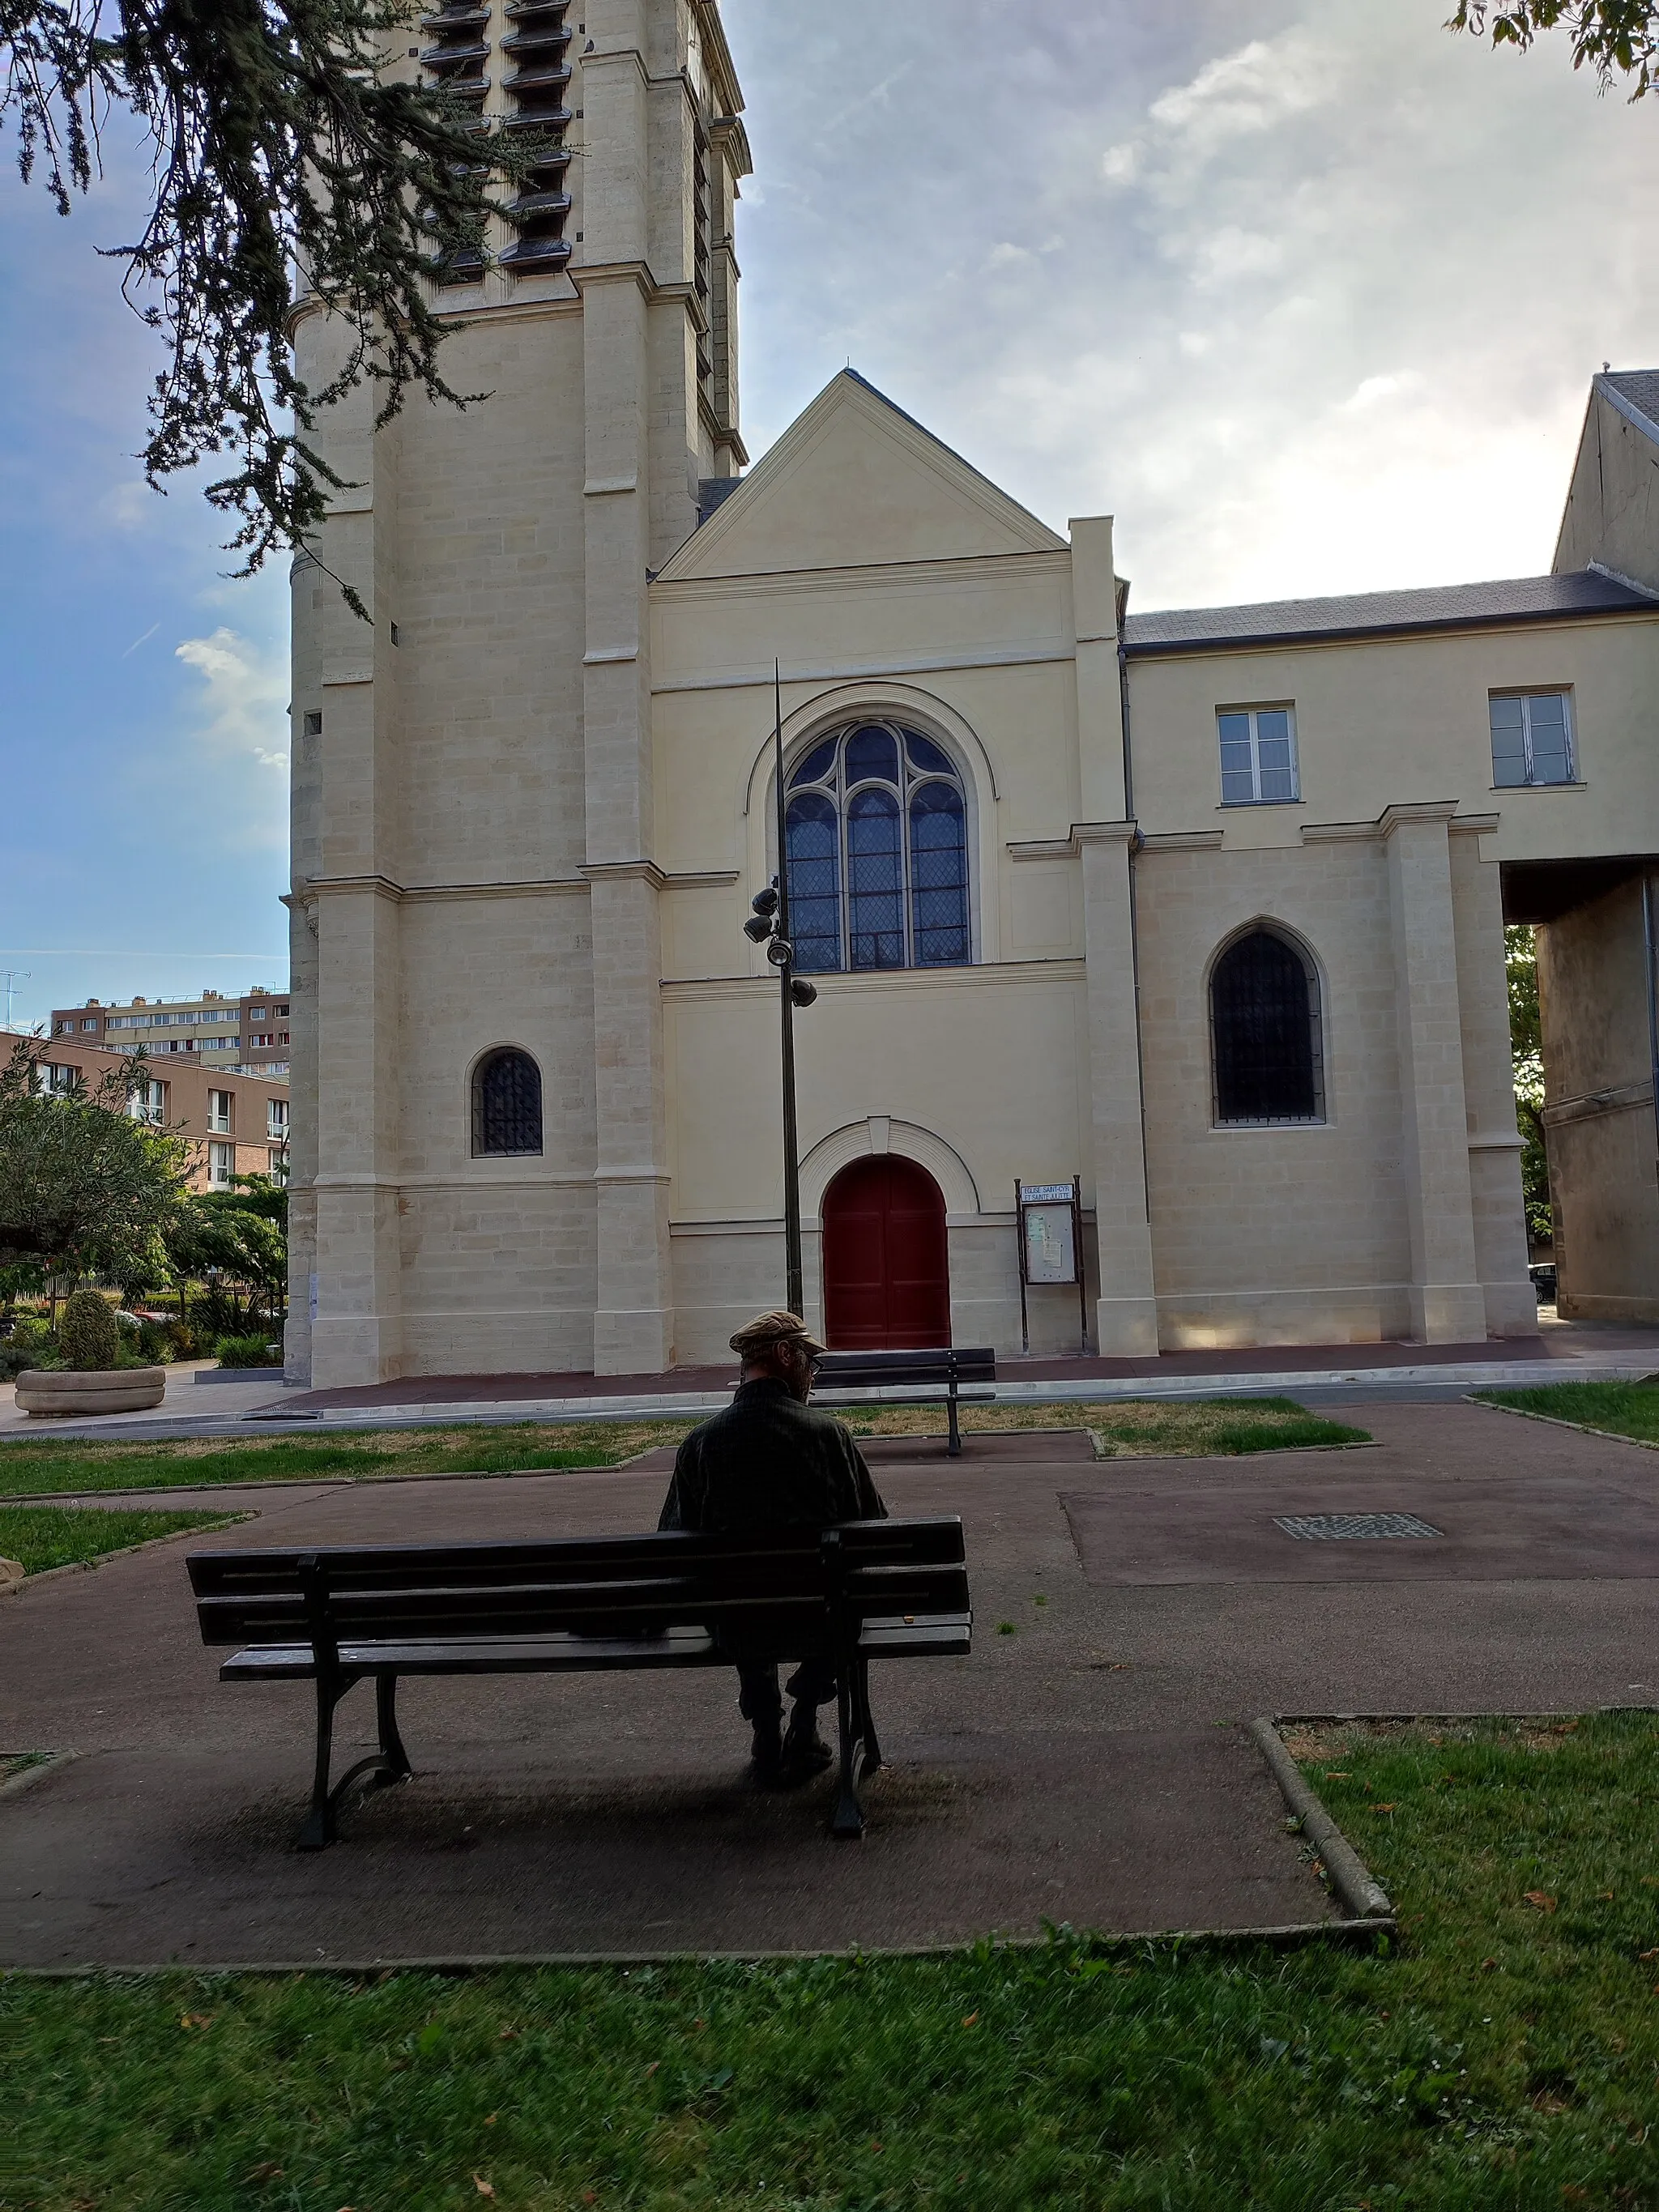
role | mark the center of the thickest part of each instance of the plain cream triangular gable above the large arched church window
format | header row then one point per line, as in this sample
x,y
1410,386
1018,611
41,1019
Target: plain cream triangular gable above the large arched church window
x,y
857,483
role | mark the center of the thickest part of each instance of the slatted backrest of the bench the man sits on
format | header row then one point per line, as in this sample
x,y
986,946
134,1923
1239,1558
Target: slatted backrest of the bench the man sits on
x,y
775,1583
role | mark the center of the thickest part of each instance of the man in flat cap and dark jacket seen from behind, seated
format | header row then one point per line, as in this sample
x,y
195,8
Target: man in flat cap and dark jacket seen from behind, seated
x,y
771,1463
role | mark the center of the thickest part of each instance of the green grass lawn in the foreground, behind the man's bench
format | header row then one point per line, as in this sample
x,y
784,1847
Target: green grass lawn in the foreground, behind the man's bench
x,y
1501,2056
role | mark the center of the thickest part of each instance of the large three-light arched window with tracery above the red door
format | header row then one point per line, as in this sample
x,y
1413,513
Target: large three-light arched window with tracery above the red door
x,y
877,824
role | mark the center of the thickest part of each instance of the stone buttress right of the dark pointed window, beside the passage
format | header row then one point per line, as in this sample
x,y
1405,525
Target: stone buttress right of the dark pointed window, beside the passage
x,y
1448,1302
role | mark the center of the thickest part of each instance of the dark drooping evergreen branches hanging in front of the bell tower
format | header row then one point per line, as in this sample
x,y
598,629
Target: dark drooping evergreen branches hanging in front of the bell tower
x,y
273,145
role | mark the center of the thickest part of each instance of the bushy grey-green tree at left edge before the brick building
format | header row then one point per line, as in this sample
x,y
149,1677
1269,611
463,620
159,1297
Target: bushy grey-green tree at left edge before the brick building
x,y
85,1187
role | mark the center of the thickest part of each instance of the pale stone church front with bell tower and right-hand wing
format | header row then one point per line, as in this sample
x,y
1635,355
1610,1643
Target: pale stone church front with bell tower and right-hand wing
x,y
1202,908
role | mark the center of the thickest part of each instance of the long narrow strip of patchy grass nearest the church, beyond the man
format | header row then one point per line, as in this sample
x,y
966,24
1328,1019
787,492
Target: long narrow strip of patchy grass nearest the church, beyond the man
x,y
52,1465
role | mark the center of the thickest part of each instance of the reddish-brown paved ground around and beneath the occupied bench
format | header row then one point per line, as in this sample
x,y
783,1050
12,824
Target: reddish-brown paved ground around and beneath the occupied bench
x,y
1087,1768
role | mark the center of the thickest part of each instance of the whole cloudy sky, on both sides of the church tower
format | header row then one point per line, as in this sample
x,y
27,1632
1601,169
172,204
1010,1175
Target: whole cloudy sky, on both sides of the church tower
x,y
1306,293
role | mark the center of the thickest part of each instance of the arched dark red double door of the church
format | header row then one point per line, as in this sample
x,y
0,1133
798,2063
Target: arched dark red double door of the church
x,y
886,1264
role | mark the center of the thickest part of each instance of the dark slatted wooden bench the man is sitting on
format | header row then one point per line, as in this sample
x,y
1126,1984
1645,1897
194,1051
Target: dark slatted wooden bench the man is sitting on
x,y
862,1592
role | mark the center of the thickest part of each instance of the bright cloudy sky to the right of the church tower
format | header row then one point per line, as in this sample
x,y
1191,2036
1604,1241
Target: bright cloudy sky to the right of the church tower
x,y
1331,291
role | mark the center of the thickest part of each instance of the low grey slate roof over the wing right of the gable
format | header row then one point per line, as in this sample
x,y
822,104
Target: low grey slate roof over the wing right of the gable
x,y
1386,614
